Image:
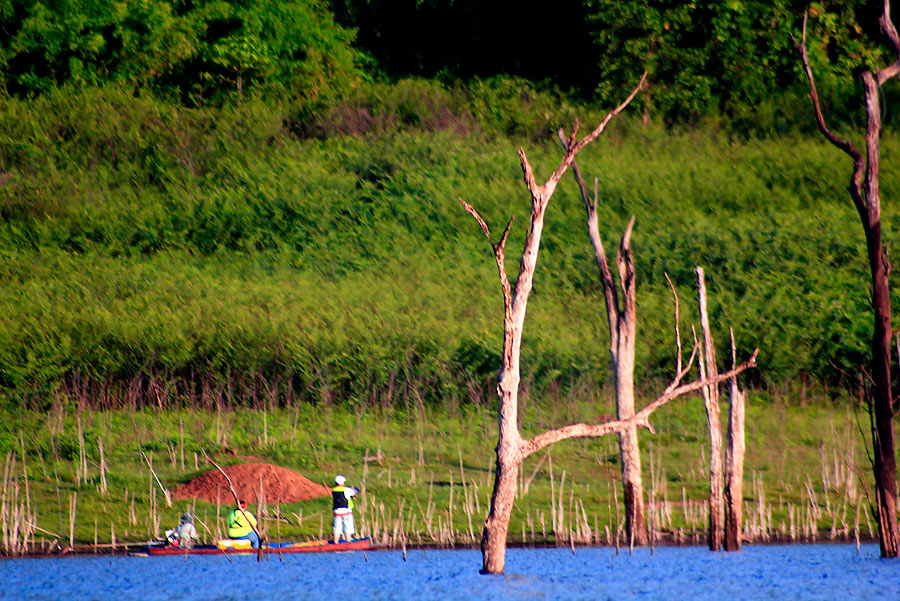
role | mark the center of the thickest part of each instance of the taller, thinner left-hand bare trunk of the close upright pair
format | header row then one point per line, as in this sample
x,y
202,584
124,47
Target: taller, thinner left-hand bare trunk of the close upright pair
x,y
711,399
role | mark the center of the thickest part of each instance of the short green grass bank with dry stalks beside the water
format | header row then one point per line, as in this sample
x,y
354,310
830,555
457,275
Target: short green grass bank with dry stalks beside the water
x,y
789,447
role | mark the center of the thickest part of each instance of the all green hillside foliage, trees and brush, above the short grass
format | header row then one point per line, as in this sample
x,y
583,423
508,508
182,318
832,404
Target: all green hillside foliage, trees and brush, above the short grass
x,y
212,199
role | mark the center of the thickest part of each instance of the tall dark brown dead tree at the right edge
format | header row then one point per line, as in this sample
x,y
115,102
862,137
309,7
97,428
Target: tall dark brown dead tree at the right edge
x,y
864,191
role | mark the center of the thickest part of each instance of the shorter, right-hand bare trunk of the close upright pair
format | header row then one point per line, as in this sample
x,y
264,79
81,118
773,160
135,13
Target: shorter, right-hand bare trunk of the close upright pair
x,y
734,464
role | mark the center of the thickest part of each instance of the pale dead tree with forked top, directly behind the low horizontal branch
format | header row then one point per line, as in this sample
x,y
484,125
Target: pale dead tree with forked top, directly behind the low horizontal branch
x,y
622,321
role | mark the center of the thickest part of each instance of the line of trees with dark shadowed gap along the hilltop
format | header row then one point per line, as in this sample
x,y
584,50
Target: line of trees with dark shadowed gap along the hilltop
x,y
729,62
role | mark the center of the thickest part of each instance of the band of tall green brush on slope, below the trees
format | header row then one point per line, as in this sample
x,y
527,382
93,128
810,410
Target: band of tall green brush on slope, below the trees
x,y
141,243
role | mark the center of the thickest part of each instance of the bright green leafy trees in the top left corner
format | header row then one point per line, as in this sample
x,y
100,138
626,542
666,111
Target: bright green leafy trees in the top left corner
x,y
196,52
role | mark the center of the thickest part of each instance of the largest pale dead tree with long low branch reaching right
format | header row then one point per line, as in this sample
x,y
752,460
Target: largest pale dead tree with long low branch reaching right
x,y
511,448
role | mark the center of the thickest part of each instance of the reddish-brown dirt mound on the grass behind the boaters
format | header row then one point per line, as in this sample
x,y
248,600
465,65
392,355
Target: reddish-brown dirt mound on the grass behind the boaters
x,y
278,485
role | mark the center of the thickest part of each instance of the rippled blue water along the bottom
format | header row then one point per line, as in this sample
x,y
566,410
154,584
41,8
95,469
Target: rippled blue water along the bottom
x,y
792,572
